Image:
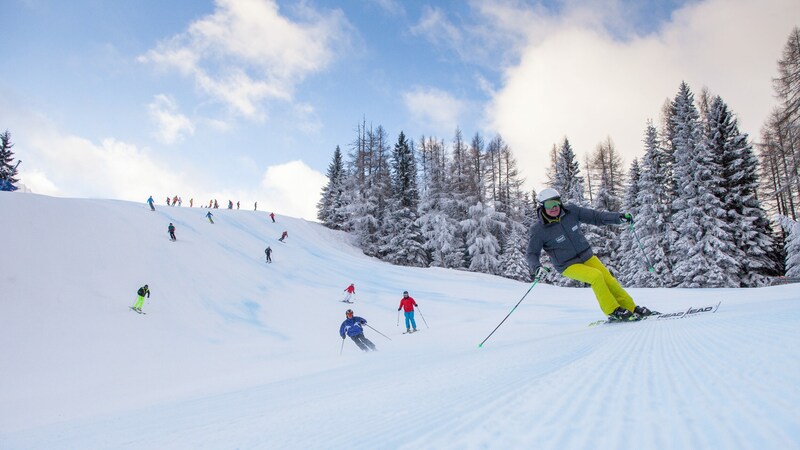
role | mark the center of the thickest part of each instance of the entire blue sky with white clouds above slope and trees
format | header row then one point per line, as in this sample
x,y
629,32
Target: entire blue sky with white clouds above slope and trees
x,y
247,99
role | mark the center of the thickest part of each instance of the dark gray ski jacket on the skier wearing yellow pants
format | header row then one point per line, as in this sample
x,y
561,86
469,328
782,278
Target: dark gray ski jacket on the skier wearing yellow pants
x,y
563,239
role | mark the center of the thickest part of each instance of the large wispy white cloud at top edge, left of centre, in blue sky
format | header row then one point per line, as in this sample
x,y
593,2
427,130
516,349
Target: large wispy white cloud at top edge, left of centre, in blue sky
x,y
246,52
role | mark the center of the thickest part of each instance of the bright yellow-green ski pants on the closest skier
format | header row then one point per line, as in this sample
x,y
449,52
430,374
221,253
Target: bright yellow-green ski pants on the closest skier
x,y
606,288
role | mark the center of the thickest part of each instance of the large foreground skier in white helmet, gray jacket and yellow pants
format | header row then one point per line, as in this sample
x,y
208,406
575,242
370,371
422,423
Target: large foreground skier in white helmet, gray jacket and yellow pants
x,y
558,232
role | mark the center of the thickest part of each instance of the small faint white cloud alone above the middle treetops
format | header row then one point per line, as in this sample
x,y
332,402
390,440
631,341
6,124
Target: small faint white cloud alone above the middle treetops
x,y
434,110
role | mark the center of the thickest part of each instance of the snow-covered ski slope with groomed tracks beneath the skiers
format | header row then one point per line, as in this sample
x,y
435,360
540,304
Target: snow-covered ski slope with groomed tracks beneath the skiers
x,y
237,353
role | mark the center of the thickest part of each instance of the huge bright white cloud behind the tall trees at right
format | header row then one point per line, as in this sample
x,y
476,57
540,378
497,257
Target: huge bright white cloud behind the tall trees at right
x,y
575,79
